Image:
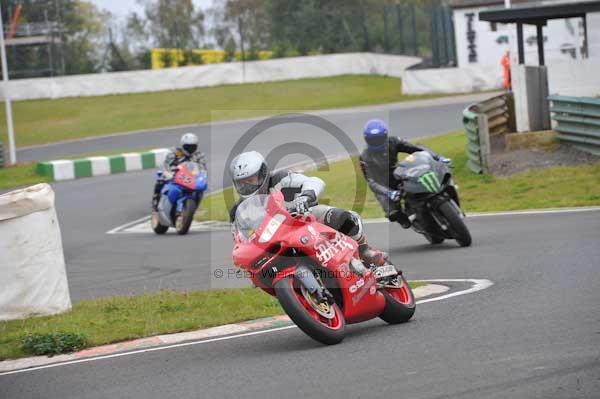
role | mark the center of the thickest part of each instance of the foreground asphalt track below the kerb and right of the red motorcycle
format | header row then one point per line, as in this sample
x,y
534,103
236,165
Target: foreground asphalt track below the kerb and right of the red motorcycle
x,y
534,334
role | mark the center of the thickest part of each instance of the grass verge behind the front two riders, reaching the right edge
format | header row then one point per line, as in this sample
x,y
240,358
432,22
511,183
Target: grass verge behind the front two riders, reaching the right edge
x,y
553,187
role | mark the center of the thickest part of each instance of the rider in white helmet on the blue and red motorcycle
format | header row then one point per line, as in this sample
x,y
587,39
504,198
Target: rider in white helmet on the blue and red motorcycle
x,y
187,151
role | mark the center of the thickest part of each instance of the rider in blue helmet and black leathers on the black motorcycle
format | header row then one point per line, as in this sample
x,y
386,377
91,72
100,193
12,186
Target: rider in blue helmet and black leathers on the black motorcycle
x,y
378,161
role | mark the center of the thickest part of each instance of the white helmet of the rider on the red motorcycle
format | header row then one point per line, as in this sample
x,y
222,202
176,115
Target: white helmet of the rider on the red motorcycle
x,y
250,174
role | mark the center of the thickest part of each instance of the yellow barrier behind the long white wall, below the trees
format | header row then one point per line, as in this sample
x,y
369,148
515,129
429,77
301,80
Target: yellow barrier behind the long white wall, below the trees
x,y
177,57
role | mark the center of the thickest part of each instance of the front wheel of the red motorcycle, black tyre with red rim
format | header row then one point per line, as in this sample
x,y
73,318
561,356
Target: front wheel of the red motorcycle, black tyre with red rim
x,y
329,331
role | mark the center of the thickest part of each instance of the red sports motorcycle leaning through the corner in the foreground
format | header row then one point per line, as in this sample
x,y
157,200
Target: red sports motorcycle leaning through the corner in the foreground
x,y
314,271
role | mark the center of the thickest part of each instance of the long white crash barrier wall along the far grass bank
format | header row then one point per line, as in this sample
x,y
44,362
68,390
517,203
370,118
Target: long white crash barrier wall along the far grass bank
x,y
208,75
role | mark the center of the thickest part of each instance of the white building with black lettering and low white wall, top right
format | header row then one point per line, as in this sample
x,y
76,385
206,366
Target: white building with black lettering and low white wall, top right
x,y
571,47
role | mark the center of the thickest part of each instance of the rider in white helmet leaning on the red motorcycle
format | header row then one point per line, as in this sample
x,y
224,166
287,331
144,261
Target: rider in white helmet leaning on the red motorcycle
x,y
251,175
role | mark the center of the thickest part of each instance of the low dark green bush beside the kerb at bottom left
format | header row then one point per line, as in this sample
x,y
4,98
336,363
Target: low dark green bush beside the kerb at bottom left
x,y
51,344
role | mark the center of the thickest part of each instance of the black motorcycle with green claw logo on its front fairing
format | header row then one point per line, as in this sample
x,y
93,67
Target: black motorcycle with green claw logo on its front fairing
x,y
430,199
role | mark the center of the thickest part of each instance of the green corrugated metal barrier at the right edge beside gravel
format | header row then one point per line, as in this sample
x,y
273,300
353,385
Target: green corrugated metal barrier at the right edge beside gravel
x,y
578,121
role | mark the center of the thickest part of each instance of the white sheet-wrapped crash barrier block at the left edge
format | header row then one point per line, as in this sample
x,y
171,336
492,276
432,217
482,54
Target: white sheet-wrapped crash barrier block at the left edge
x,y
32,264
